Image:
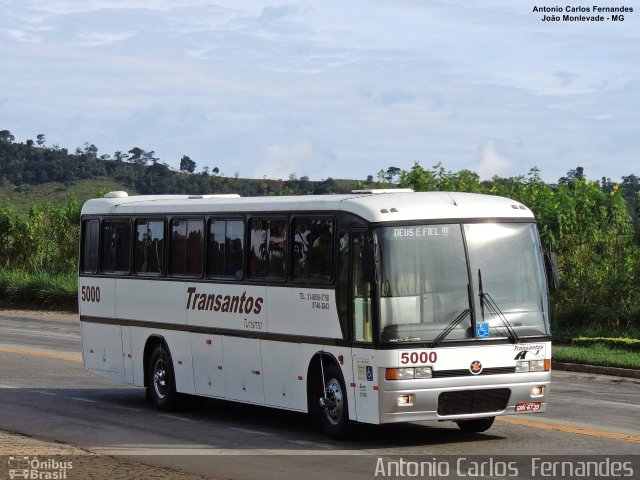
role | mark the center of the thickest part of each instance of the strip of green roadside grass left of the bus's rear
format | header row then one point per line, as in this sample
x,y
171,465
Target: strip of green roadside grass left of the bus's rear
x,y
19,288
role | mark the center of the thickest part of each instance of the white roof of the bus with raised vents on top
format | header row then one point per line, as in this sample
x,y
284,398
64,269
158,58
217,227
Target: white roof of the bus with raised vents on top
x,y
374,207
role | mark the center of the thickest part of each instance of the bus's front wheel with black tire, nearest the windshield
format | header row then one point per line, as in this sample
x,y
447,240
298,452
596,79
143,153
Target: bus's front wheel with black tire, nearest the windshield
x,y
333,406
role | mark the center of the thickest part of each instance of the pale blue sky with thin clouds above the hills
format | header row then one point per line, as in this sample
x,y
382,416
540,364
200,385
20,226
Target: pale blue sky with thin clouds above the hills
x,y
326,88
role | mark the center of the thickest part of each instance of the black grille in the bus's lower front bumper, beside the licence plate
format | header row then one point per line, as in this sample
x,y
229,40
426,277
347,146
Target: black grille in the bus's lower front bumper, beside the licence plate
x,y
473,401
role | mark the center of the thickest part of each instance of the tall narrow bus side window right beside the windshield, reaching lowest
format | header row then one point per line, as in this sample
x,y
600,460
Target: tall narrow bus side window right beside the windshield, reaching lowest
x,y
361,290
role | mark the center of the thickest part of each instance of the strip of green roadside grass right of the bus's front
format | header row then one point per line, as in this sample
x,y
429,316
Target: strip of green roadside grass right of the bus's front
x,y
596,354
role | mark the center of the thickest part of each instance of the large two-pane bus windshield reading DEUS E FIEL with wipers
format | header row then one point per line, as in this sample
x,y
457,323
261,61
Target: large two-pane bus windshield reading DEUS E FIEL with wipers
x,y
429,286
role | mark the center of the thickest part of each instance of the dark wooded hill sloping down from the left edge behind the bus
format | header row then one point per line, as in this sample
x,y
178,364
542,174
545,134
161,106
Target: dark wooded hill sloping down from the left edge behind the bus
x,y
33,163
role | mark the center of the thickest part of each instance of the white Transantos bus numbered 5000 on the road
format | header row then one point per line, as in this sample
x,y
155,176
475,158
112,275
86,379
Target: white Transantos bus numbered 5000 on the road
x,y
374,307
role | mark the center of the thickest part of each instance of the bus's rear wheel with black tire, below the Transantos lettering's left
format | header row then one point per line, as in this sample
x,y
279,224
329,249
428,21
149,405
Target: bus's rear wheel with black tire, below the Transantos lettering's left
x,y
161,380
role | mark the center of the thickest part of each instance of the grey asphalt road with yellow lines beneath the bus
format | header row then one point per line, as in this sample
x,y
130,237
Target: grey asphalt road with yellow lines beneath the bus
x,y
44,393
